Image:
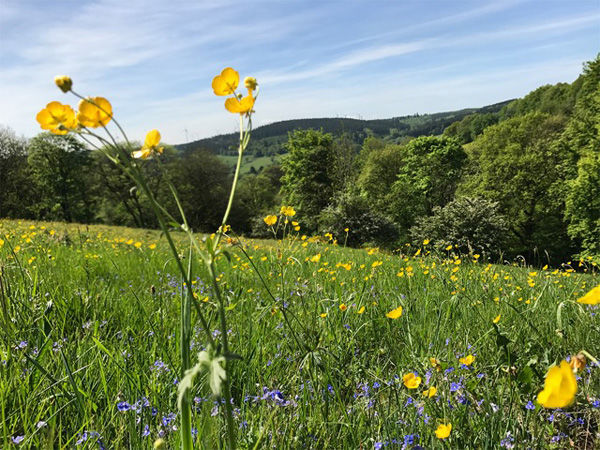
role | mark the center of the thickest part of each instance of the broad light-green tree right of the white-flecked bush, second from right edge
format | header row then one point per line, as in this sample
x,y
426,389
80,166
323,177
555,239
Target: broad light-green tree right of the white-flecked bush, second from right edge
x,y
520,164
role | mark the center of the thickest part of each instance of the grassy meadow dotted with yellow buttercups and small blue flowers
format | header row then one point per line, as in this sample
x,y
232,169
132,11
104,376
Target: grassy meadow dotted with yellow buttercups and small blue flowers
x,y
89,345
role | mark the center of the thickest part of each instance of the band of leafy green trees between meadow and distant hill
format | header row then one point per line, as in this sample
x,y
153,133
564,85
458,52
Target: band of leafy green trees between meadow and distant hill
x,y
523,179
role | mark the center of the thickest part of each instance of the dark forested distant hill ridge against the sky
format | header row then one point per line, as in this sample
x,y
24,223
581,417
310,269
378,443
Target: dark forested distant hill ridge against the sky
x,y
268,140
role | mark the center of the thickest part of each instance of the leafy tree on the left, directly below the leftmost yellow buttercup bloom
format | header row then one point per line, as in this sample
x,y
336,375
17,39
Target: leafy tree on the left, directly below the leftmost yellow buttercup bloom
x,y
59,165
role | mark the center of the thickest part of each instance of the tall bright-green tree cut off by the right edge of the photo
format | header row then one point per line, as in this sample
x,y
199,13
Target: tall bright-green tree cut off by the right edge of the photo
x,y
582,137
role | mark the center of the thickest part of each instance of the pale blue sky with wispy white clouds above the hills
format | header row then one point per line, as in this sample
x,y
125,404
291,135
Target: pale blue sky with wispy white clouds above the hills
x,y
155,60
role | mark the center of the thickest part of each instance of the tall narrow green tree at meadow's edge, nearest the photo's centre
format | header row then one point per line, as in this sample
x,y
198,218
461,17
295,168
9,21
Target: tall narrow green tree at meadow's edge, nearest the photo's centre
x,y
307,181
